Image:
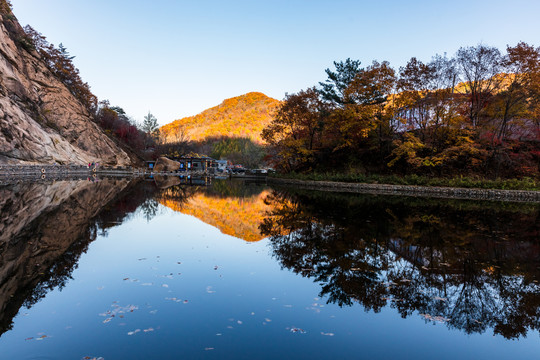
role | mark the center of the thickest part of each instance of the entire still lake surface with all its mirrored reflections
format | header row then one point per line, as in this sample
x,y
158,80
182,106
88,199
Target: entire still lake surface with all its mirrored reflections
x,y
171,269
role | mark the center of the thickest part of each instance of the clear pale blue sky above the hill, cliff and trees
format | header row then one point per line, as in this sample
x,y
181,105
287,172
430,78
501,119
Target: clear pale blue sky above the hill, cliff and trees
x,y
177,58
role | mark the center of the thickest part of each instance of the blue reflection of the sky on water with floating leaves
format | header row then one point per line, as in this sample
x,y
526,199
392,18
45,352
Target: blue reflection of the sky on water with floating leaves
x,y
248,299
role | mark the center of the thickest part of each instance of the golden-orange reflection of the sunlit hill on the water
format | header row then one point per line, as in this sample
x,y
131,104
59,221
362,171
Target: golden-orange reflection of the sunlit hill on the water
x,y
238,217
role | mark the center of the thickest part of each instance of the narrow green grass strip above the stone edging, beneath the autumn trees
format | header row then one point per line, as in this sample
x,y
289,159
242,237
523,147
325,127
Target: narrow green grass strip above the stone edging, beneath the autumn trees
x,y
459,182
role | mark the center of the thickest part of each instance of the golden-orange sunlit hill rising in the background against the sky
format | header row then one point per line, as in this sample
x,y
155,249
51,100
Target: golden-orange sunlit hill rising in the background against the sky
x,y
241,116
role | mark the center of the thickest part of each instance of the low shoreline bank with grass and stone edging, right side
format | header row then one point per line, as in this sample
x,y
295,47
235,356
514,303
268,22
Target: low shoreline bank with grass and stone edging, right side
x,y
413,190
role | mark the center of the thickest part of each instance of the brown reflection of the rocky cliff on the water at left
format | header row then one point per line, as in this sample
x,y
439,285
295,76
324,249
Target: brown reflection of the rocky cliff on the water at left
x,y
43,231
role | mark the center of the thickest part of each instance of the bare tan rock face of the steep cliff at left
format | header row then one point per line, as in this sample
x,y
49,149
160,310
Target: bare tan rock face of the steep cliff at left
x,y
40,120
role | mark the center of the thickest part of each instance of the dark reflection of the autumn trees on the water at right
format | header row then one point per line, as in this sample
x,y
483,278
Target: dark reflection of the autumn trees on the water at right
x,y
469,266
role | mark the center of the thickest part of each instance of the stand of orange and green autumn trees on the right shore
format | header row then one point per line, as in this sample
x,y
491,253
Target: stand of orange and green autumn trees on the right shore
x,y
476,114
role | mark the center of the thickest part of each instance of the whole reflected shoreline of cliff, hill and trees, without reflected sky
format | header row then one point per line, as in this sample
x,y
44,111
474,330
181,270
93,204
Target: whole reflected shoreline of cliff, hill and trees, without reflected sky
x,y
473,266
